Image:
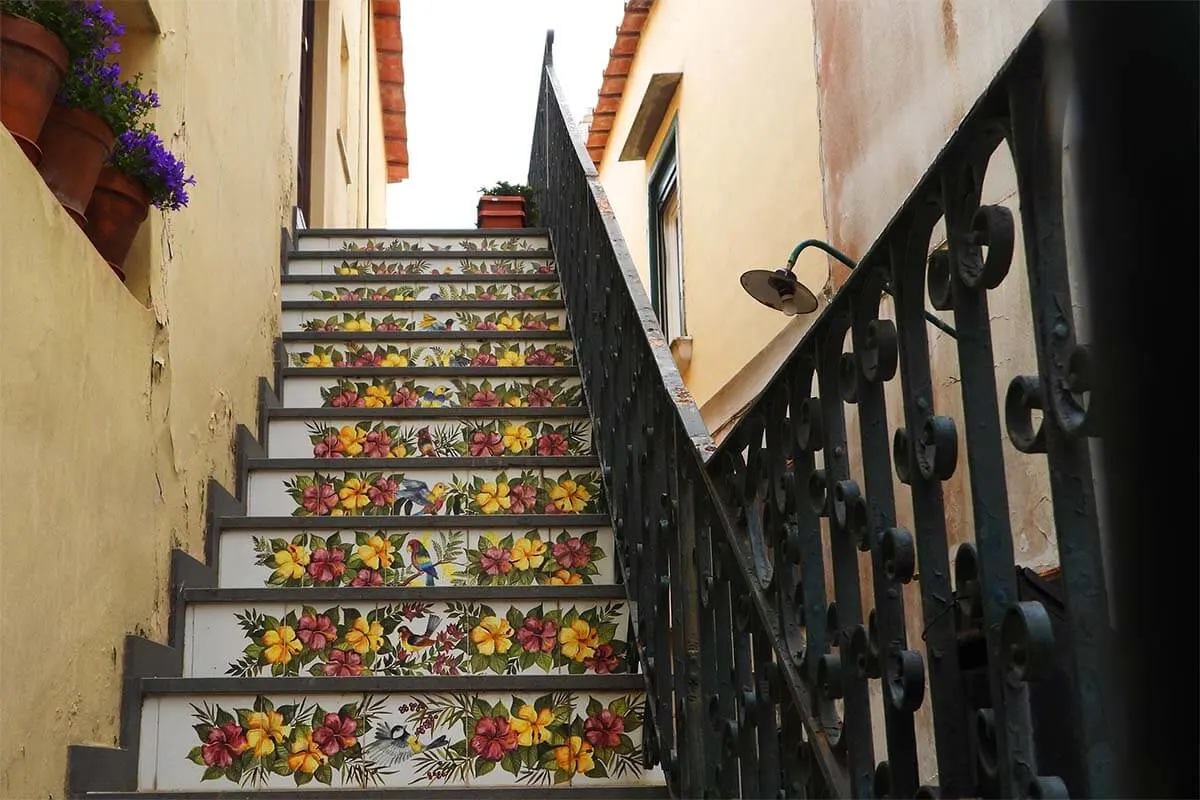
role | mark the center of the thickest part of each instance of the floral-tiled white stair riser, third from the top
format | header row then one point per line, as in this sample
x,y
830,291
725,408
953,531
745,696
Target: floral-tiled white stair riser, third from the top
x,y
413,290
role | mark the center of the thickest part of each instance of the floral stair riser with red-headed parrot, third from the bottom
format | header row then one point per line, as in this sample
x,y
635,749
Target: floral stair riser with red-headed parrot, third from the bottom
x,y
254,554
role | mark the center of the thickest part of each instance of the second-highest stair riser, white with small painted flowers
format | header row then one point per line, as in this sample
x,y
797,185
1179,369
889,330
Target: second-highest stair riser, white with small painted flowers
x,y
495,266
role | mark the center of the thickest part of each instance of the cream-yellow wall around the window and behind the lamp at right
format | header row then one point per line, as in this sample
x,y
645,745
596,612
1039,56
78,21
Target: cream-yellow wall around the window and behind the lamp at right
x,y
749,178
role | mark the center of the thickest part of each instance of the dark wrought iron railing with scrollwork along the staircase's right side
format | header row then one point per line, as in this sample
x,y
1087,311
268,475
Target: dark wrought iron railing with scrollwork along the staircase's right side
x,y
758,687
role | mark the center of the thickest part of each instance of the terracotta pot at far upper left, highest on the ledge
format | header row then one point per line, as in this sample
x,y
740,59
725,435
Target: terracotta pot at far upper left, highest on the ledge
x,y
33,62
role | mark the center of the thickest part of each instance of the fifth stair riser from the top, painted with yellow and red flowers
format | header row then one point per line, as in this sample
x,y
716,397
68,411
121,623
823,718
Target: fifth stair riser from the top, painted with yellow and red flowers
x,y
368,352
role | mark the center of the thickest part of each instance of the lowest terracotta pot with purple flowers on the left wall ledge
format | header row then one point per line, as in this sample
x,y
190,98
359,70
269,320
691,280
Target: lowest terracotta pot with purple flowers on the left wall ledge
x,y
140,173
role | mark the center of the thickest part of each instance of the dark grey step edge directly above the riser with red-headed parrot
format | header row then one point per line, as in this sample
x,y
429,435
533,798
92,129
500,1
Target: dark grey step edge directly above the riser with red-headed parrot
x,y
466,522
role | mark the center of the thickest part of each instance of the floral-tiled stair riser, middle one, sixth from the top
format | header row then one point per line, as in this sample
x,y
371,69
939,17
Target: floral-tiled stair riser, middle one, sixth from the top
x,y
433,393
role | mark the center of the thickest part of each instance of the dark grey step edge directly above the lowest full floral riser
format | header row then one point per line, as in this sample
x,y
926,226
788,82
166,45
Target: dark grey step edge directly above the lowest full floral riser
x,y
388,684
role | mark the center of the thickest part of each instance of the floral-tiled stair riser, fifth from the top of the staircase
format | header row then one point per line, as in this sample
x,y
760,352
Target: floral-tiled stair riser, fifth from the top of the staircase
x,y
442,354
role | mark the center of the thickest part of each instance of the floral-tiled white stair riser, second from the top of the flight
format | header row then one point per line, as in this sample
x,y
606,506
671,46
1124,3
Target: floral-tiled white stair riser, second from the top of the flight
x,y
363,266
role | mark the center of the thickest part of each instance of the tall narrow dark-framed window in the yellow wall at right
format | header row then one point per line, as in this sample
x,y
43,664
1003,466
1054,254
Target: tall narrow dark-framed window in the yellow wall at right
x,y
667,242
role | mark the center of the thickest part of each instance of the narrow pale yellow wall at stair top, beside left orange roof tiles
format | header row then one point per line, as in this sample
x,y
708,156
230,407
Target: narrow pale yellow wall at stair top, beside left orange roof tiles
x,y
350,177
